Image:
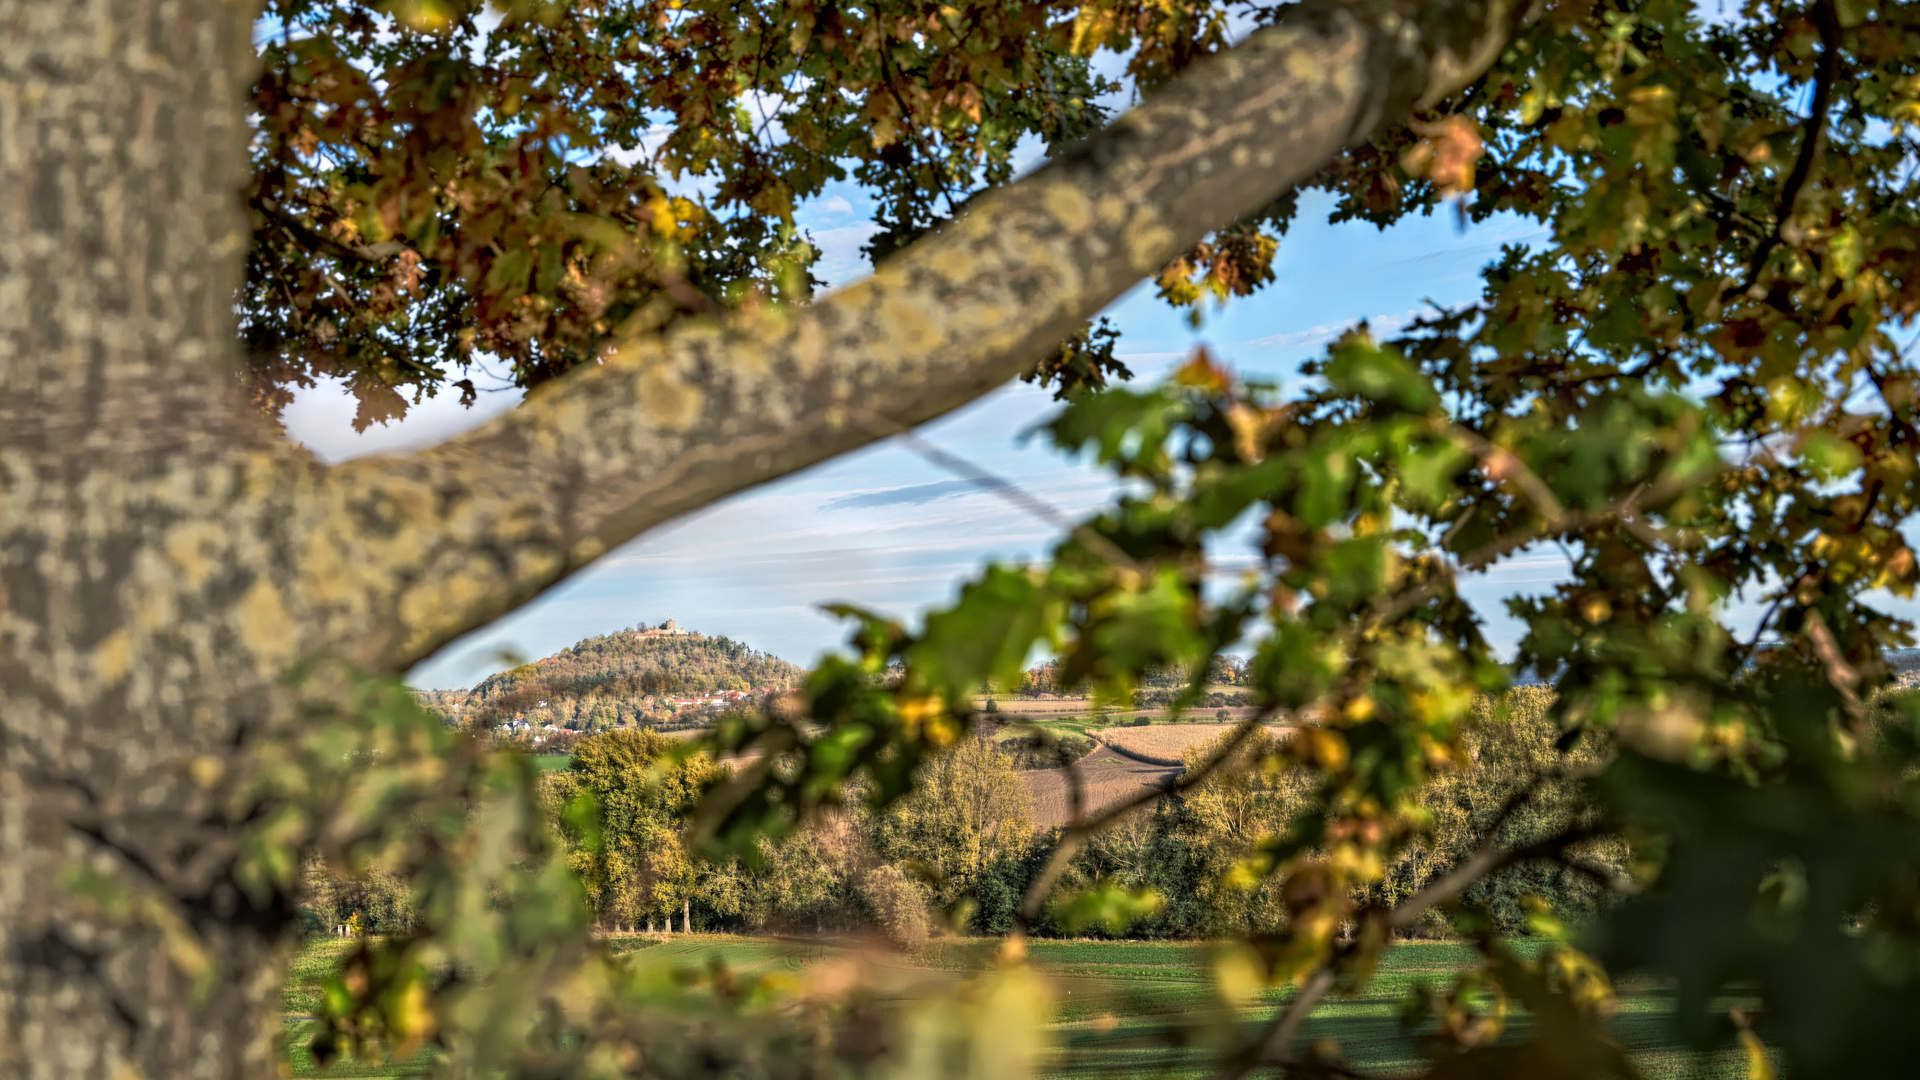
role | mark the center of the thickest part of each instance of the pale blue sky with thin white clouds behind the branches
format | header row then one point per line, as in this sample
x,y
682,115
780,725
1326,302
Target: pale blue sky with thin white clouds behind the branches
x,y
884,528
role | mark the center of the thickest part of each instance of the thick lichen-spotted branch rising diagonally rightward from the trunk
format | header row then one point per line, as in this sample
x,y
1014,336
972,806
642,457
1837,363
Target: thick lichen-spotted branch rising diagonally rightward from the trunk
x,y
414,552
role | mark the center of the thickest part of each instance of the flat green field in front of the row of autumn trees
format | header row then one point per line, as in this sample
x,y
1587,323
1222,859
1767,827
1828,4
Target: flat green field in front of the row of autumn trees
x,y
1120,1002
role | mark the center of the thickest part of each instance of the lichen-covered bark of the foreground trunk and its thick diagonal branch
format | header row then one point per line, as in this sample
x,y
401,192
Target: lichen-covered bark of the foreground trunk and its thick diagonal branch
x,y
164,564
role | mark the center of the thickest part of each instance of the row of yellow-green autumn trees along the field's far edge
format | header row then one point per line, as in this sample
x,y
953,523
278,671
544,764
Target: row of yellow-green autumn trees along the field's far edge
x,y
961,852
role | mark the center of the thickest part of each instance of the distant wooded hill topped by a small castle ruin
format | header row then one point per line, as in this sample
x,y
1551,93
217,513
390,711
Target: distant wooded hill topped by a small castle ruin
x,y
633,677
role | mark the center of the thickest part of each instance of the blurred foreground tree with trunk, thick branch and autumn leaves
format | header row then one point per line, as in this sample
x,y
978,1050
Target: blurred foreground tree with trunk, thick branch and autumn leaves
x,y
1692,383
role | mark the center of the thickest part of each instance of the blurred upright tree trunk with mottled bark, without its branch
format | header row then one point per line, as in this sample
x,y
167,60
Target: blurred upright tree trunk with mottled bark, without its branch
x,y
128,551
